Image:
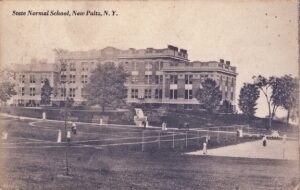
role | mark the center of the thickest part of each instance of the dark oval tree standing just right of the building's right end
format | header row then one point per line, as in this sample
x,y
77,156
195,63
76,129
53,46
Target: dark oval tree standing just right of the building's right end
x,y
249,94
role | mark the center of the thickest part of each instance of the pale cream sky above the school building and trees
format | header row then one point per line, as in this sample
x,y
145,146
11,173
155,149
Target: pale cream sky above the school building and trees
x,y
258,37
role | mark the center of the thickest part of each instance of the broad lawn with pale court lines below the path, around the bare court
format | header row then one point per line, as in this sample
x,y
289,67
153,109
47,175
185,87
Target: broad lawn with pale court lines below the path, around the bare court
x,y
115,157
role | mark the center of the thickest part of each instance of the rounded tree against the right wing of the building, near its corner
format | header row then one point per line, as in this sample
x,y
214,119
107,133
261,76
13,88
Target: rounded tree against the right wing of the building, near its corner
x,y
209,95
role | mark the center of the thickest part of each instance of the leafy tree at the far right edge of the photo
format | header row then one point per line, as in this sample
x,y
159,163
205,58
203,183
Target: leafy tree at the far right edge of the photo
x,y
284,94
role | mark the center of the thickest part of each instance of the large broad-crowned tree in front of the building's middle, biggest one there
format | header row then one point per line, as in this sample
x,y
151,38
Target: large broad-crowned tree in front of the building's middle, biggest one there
x,y
106,86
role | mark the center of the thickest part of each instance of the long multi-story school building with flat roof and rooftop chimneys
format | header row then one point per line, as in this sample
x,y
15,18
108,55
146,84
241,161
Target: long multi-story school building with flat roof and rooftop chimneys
x,y
156,76
